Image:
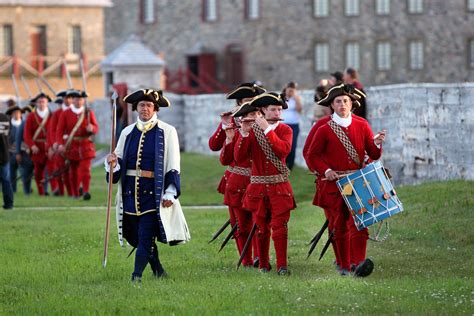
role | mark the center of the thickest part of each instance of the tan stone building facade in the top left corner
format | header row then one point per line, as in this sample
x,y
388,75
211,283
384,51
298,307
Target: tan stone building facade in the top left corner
x,y
52,28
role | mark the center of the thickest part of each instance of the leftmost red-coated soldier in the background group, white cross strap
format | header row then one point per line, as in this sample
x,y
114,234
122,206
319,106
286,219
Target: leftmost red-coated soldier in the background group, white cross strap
x,y
37,127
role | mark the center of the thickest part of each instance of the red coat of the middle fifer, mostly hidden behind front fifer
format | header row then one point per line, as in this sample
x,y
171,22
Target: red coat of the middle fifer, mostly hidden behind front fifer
x,y
236,183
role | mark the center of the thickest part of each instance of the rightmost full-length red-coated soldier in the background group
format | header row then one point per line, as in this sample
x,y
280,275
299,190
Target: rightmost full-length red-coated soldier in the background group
x,y
75,128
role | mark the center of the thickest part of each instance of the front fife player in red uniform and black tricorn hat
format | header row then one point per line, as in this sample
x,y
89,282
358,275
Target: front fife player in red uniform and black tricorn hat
x,y
267,142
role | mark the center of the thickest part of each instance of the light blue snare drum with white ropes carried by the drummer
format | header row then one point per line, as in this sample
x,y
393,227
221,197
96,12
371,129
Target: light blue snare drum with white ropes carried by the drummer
x,y
369,195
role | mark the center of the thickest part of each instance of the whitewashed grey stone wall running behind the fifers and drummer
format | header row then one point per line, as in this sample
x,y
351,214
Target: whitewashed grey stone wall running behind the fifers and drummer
x,y
430,127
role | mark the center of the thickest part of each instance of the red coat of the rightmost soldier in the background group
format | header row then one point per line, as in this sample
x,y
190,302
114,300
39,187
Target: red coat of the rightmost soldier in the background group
x,y
81,146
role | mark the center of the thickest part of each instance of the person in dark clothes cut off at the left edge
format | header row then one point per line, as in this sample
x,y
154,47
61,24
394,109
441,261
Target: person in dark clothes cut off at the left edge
x,y
5,162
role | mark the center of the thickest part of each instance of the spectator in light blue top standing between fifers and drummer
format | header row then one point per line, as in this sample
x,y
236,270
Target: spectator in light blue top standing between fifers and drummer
x,y
291,117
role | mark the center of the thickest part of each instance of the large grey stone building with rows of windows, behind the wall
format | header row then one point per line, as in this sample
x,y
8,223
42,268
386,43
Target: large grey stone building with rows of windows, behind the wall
x,y
390,41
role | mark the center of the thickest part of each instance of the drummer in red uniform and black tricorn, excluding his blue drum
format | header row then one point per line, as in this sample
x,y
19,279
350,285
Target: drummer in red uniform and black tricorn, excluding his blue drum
x,y
338,148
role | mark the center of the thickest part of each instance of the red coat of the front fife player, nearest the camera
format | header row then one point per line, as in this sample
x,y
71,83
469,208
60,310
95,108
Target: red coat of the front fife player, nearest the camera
x,y
280,194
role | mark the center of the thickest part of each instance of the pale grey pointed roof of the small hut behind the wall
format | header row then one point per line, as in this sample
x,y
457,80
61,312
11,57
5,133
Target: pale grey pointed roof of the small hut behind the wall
x,y
132,52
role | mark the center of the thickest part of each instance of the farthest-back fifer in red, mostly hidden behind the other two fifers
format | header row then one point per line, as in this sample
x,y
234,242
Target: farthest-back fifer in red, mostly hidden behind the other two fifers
x,y
243,93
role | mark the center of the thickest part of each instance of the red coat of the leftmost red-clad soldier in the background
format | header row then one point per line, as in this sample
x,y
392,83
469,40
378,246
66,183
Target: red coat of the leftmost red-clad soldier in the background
x,y
32,123
